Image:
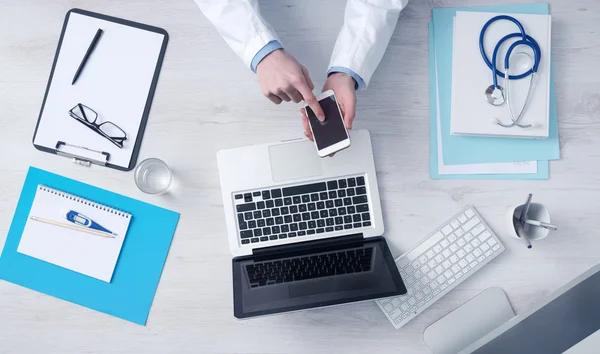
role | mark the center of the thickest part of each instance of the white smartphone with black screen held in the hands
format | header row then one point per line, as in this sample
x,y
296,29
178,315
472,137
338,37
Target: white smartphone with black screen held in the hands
x,y
330,135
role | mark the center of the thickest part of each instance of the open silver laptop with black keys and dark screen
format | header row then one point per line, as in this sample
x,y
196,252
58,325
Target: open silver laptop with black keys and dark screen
x,y
304,231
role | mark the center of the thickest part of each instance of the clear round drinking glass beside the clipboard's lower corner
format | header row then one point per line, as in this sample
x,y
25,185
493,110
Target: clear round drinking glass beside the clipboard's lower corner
x,y
153,176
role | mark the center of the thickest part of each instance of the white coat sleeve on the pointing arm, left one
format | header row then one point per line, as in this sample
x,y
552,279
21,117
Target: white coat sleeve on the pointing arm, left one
x,y
240,24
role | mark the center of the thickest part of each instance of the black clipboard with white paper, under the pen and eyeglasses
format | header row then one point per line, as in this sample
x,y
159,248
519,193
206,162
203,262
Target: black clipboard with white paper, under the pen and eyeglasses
x,y
119,81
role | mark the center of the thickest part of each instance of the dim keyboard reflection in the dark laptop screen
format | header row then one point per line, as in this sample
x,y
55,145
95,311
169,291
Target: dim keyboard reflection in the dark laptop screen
x,y
309,267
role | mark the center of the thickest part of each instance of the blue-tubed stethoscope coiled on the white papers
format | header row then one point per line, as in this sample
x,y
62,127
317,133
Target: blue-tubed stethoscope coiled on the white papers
x,y
495,94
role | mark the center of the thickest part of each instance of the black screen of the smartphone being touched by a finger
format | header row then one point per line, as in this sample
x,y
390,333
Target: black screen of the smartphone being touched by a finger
x,y
331,131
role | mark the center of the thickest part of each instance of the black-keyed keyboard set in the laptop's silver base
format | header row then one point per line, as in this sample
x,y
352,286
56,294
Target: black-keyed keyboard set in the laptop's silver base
x,y
306,209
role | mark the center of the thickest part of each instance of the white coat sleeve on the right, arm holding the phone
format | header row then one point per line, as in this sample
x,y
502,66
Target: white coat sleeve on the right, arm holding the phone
x,y
365,35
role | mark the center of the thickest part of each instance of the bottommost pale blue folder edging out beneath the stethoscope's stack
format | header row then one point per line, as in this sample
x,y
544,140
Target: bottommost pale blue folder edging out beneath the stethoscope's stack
x,y
542,172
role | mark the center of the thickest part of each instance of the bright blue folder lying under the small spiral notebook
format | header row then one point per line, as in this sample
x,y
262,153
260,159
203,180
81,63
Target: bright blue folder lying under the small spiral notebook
x,y
130,293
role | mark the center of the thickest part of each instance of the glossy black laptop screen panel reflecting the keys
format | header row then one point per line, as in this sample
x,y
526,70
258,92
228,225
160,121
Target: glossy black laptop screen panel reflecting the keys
x,y
341,272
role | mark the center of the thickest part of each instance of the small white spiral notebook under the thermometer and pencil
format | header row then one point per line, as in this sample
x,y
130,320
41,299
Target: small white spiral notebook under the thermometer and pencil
x,y
79,251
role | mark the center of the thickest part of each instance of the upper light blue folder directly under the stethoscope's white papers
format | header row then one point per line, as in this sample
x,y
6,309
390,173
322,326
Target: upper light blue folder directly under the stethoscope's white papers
x,y
469,149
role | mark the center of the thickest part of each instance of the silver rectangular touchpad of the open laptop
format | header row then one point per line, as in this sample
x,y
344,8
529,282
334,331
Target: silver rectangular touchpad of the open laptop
x,y
294,160
